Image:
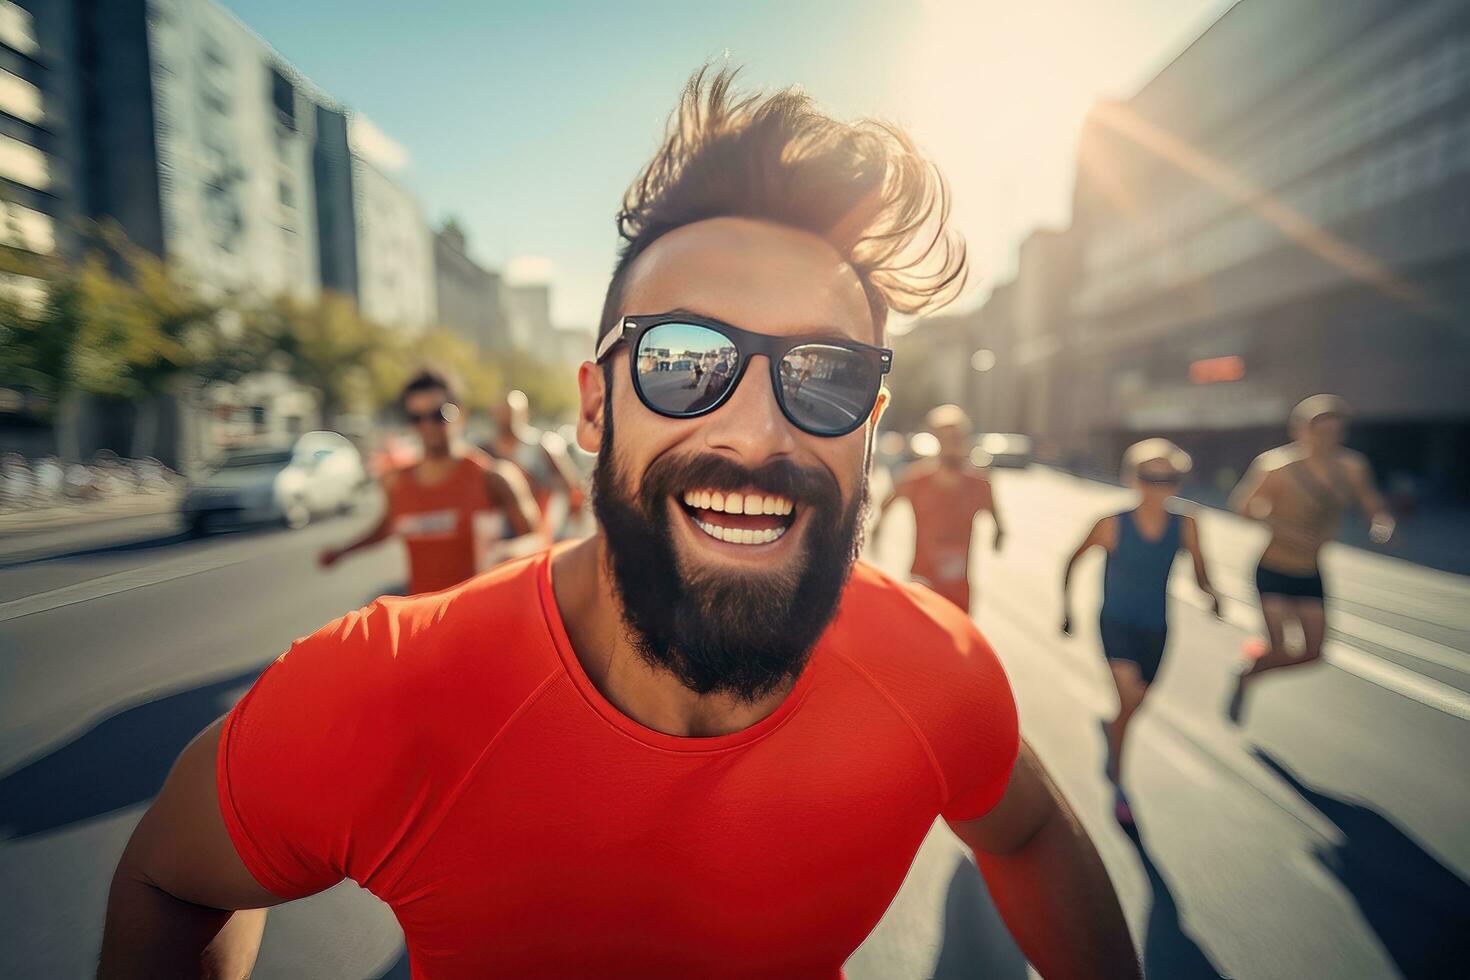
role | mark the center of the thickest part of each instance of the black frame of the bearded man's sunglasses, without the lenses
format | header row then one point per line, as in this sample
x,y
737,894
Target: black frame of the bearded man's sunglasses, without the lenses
x,y
747,345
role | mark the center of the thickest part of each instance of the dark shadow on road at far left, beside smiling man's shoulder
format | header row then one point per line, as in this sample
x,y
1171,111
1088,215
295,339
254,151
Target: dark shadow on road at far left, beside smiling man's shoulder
x,y
118,763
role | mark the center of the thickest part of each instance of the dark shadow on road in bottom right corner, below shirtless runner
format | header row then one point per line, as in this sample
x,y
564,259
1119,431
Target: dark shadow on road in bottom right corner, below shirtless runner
x,y
1419,909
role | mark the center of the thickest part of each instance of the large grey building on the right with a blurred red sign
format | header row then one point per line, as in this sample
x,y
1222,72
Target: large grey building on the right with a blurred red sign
x,y
1284,211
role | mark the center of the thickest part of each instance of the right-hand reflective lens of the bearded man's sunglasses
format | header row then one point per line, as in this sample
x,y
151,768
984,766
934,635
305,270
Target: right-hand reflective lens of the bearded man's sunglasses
x,y
828,390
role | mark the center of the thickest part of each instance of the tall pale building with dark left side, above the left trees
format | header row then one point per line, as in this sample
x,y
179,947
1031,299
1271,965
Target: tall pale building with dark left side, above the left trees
x,y
201,145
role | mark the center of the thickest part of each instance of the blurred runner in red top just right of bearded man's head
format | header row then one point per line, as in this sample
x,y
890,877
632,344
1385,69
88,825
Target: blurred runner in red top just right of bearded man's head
x,y
946,493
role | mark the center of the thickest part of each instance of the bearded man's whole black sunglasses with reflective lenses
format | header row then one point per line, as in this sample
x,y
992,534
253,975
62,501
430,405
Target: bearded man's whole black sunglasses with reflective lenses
x,y
686,367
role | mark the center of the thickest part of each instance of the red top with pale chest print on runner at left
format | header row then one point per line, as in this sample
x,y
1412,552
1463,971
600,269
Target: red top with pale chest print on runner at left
x,y
437,522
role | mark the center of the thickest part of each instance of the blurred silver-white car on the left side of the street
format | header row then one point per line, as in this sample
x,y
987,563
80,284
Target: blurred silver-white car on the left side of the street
x,y
321,474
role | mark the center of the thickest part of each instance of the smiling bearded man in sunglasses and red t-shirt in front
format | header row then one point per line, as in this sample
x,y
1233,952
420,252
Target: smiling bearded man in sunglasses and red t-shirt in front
x,y
703,743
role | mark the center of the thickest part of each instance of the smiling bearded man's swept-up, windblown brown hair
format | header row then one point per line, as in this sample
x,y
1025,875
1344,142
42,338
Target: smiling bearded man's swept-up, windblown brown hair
x,y
864,187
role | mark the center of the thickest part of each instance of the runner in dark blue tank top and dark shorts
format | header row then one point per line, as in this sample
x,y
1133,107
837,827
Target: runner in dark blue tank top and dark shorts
x,y
1141,546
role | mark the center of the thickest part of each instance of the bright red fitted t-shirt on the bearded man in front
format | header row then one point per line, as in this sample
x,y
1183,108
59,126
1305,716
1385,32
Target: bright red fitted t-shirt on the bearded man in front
x,y
449,754
